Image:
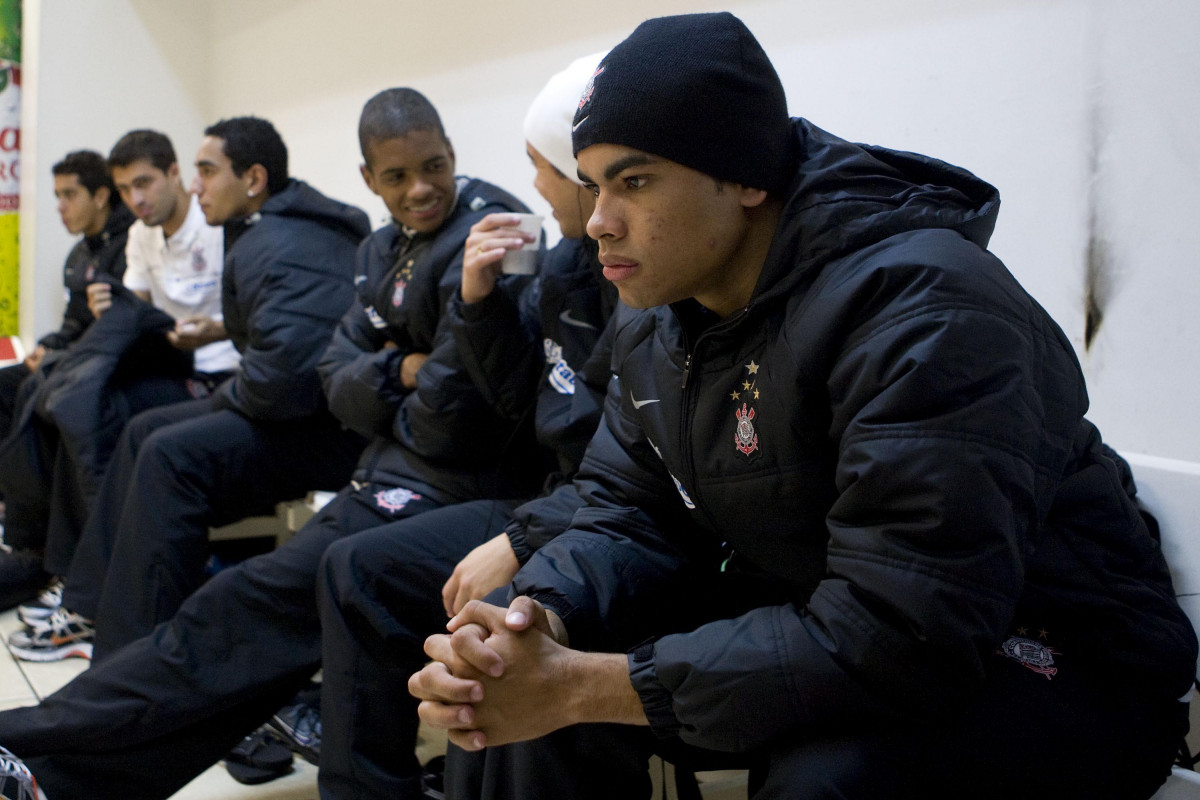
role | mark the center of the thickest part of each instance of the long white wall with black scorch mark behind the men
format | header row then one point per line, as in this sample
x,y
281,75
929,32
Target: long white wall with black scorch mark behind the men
x,y
1082,112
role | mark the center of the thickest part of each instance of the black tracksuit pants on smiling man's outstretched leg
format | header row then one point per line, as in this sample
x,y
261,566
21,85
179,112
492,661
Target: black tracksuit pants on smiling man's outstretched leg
x,y
145,721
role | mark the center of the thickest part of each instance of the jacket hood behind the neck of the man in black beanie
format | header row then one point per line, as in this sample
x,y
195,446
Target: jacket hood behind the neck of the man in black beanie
x,y
847,197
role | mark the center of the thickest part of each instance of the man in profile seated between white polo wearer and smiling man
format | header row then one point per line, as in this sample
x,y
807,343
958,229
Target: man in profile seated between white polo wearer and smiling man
x,y
266,436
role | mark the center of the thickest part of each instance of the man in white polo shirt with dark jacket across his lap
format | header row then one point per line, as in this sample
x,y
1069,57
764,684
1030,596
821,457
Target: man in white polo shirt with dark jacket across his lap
x,y
52,468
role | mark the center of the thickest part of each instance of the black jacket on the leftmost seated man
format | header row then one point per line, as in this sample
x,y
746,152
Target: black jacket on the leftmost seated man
x,y
93,257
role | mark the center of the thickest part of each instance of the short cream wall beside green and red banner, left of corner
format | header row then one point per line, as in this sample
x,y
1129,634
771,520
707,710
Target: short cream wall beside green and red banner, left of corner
x,y
94,71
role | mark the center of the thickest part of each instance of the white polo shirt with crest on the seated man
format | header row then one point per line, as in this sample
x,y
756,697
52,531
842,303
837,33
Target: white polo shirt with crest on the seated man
x,y
183,275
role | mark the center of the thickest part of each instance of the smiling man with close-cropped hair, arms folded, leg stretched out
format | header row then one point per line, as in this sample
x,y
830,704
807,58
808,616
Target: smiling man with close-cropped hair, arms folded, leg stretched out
x,y
242,646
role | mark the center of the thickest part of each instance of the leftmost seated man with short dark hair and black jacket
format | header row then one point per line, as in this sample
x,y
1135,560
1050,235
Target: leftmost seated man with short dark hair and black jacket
x,y
89,207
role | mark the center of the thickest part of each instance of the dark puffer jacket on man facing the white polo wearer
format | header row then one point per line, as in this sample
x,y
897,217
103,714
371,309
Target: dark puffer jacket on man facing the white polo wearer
x,y
289,279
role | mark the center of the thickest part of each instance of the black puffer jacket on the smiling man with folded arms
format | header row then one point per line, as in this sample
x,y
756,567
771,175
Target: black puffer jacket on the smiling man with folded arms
x,y
442,440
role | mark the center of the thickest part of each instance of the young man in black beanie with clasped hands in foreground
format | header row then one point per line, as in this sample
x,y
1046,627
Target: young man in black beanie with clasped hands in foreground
x,y
844,514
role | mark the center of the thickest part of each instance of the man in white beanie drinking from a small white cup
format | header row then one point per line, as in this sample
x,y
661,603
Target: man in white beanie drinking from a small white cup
x,y
385,591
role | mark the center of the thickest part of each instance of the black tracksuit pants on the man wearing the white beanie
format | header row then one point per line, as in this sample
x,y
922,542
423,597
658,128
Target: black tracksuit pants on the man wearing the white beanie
x,y
381,597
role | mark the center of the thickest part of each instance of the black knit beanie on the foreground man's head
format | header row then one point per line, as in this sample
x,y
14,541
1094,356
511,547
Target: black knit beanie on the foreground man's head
x,y
695,89
